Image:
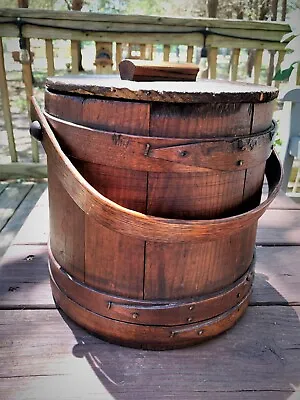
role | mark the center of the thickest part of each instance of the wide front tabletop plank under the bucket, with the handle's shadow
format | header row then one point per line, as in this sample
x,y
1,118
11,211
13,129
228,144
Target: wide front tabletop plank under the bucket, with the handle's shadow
x,y
261,353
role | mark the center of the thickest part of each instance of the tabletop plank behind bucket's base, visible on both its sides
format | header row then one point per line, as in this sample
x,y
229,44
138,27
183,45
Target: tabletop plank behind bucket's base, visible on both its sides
x,y
24,281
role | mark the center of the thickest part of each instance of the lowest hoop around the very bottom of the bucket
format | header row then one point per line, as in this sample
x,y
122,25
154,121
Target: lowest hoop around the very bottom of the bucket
x,y
146,336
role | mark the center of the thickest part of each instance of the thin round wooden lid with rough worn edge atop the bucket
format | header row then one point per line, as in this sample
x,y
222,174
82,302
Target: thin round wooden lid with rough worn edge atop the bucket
x,y
201,91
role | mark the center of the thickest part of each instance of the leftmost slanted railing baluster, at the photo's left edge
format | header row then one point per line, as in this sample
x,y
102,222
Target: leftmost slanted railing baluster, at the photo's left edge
x,y
6,108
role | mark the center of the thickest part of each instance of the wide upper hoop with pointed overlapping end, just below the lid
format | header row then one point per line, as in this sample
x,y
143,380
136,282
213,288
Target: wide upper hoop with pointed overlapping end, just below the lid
x,y
158,154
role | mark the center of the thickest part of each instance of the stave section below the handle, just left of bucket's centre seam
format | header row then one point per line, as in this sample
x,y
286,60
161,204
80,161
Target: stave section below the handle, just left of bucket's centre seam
x,y
114,263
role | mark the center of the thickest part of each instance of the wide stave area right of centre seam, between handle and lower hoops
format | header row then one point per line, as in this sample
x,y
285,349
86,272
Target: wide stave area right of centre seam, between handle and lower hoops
x,y
169,276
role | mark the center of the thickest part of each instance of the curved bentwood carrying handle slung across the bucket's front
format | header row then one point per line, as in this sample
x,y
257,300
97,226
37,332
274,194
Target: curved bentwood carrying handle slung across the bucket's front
x,y
136,224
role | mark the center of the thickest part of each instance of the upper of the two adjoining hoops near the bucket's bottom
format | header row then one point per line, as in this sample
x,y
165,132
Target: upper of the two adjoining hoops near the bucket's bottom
x,y
146,312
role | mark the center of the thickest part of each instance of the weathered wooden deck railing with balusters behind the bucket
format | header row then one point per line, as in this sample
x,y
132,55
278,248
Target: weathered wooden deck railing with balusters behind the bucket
x,y
118,36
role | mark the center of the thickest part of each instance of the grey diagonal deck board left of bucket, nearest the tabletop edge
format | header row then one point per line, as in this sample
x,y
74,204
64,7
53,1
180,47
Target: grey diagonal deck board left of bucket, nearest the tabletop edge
x,y
18,218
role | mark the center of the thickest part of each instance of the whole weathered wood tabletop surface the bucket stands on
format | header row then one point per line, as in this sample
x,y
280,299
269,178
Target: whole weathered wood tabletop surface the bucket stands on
x,y
267,337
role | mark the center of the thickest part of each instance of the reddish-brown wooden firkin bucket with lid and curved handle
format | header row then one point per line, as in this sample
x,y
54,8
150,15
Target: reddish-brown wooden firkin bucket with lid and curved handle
x,y
154,192
